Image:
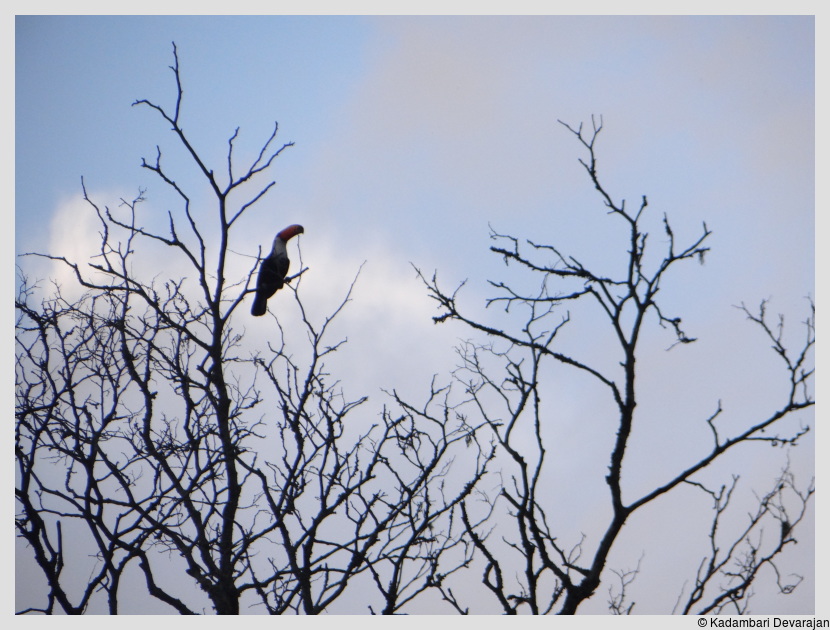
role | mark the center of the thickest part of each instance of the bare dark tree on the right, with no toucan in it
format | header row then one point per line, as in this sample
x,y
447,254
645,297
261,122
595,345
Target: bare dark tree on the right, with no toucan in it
x,y
518,533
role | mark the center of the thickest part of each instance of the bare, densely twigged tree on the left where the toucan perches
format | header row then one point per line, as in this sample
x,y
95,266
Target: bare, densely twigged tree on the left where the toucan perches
x,y
151,444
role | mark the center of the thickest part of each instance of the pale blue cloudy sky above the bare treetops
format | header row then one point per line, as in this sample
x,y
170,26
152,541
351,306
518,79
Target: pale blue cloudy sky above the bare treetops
x,y
415,135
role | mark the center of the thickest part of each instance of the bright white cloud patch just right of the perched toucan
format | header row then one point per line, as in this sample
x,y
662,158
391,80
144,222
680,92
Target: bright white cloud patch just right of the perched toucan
x,y
392,341
